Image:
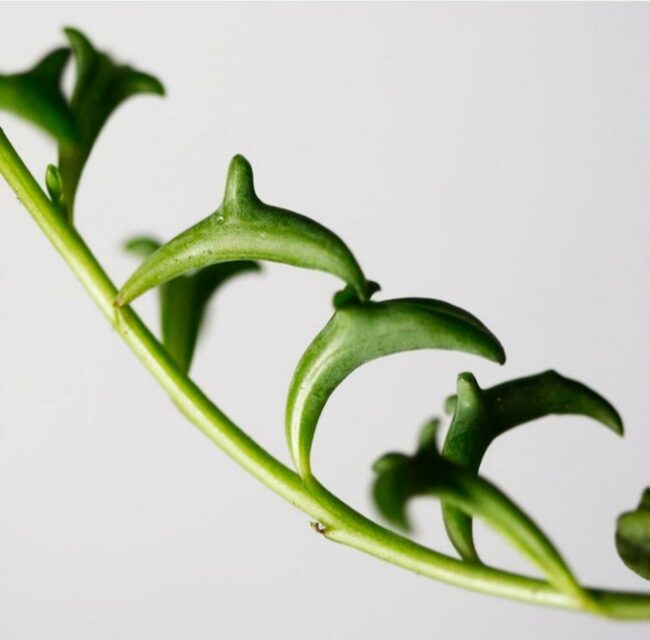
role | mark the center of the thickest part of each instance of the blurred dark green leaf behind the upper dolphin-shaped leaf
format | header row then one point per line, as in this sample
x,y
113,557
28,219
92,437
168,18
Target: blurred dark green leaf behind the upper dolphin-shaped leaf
x,y
183,301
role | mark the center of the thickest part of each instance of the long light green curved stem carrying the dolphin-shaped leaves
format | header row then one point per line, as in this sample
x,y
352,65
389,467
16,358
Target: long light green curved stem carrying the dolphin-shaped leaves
x,y
339,522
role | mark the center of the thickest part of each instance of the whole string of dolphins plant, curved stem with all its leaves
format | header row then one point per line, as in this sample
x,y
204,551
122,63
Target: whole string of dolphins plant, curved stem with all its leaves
x,y
243,230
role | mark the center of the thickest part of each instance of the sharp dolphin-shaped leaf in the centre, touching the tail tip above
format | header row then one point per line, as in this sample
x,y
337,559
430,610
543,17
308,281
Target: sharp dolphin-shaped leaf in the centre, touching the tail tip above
x,y
358,333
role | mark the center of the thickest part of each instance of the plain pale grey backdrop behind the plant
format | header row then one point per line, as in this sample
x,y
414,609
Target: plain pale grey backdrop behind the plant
x,y
495,156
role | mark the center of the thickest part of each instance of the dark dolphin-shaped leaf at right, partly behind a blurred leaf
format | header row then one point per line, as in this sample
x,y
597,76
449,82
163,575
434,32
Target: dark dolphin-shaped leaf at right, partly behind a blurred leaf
x,y
480,415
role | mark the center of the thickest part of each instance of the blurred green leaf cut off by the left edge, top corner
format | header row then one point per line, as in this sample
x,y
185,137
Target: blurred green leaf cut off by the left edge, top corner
x,y
36,96
